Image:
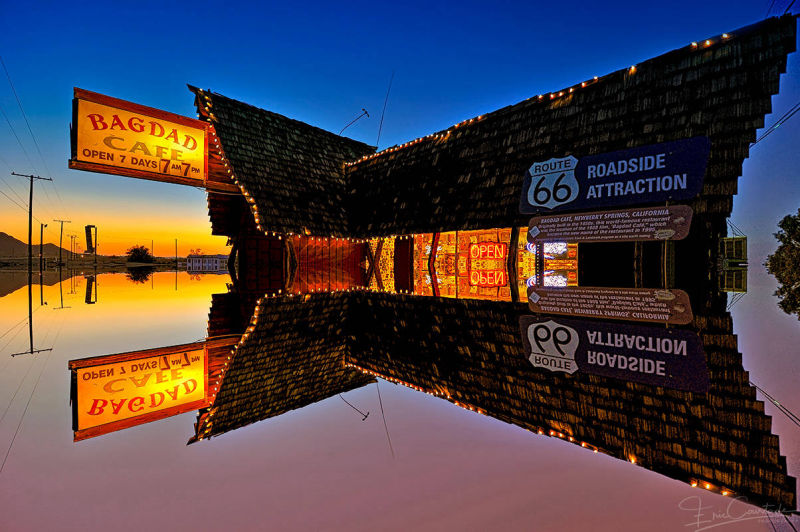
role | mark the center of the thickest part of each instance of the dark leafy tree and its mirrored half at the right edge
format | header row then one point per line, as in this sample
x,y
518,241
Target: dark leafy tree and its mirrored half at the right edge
x,y
784,264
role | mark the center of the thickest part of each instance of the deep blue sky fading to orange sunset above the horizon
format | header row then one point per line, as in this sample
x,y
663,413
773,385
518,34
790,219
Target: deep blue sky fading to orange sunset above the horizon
x,y
322,63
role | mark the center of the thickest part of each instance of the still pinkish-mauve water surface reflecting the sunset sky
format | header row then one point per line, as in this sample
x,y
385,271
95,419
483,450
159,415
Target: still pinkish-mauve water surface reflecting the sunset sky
x,y
322,467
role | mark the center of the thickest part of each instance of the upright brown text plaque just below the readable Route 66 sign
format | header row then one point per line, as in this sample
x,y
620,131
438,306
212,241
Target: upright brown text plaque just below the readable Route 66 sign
x,y
652,223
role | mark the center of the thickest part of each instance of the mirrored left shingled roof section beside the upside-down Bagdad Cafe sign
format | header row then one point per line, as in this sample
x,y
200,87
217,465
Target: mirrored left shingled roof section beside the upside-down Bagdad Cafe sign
x,y
292,356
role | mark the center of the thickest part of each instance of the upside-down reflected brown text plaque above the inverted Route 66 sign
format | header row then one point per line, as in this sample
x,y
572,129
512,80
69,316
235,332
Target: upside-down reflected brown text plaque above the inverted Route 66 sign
x,y
631,304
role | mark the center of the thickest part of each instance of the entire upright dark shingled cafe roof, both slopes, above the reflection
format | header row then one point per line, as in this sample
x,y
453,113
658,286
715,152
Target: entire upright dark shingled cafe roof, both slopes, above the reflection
x,y
469,176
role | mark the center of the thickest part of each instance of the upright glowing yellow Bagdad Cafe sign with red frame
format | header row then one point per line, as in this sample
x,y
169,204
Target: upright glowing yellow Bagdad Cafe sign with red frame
x,y
114,136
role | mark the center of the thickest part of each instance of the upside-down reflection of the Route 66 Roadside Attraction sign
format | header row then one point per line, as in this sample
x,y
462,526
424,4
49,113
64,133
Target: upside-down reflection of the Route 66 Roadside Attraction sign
x,y
671,358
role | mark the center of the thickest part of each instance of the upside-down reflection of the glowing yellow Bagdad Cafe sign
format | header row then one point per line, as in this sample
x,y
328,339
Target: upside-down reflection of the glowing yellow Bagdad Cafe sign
x,y
114,392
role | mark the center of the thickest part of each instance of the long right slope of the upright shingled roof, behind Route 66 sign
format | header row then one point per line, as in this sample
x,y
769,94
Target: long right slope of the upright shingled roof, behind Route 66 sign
x,y
469,176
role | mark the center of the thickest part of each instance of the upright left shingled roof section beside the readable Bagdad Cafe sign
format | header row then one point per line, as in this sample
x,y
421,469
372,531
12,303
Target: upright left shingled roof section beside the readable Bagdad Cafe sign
x,y
293,171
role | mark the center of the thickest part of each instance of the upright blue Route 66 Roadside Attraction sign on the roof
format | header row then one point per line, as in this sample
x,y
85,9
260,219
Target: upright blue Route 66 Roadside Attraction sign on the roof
x,y
670,171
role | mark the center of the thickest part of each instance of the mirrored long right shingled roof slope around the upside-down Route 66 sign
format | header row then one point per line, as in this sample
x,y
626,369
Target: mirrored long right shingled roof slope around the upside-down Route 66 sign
x,y
470,353
